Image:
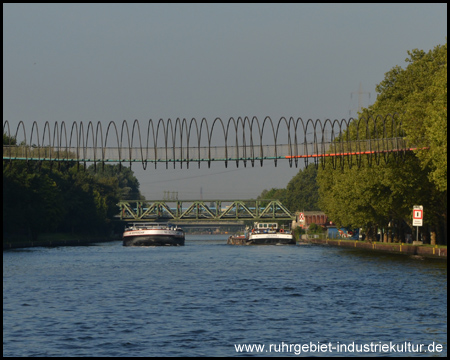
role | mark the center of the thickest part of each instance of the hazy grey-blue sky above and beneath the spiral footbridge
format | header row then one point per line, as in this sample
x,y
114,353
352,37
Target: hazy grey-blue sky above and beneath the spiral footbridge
x,y
115,62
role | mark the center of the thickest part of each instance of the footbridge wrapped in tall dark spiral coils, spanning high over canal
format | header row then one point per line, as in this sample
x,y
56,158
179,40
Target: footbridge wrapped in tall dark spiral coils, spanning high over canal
x,y
181,141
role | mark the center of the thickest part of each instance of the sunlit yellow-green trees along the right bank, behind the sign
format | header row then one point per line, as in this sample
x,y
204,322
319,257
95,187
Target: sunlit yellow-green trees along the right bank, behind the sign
x,y
381,195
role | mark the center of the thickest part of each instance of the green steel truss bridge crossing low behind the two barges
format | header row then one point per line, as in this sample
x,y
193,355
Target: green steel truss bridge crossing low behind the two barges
x,y
203,211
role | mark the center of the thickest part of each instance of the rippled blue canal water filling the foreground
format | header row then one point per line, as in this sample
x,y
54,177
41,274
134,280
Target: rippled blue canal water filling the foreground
x,y
212,299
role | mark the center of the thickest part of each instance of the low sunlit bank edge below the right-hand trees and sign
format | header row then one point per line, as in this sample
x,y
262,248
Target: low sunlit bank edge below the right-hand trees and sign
x,y
396,248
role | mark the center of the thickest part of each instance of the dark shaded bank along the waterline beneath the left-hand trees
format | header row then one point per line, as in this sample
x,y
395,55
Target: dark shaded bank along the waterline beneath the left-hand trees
x,y
47,240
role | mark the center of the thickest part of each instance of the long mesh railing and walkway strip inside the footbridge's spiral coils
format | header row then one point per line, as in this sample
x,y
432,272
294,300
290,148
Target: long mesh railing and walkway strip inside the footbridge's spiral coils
x,y
204,153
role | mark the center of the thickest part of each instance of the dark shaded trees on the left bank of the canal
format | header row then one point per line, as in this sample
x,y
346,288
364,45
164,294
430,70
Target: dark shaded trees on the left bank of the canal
x,y
64,198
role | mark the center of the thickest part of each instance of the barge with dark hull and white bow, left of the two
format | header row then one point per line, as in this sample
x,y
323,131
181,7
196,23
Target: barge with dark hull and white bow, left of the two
x,y
153,234
